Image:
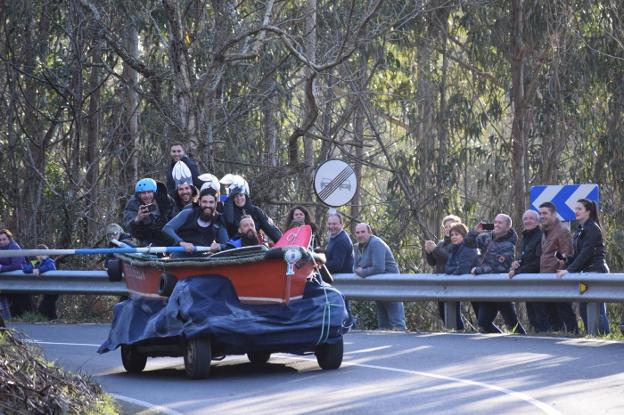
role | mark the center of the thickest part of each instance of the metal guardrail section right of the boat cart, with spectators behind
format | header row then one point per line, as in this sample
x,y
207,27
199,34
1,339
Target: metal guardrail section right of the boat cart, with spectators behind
x,y
592,288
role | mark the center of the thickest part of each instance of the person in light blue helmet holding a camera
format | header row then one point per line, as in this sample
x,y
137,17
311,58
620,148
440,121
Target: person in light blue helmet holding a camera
x,y
148,211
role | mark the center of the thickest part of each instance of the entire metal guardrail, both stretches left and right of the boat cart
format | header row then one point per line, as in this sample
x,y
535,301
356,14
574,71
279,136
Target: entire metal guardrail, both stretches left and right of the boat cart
x,y
592,288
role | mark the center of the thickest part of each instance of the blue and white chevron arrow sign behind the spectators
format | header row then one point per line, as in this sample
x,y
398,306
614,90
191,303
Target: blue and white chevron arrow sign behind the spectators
x,y
564,197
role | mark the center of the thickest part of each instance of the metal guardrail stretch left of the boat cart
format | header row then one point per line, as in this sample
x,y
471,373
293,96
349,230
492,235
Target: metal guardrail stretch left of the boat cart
x,y
61,282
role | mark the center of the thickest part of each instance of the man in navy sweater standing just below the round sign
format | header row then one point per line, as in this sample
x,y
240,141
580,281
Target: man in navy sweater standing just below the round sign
x,y
339,251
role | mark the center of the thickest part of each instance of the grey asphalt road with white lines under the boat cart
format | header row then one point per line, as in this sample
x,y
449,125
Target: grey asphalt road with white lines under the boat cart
x,y
383,372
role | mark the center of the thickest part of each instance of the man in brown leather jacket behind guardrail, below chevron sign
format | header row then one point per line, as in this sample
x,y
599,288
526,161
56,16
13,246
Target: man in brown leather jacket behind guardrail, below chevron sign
x,y
556,238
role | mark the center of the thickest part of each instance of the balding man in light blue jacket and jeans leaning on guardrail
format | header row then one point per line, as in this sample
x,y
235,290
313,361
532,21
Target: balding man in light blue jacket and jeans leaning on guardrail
x,y
373,256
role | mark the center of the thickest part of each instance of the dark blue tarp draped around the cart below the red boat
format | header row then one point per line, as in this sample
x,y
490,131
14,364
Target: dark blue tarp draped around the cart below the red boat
x,y
208,307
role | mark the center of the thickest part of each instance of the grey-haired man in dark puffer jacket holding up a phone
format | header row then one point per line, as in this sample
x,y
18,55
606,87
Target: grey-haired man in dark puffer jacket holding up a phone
x,y
497,253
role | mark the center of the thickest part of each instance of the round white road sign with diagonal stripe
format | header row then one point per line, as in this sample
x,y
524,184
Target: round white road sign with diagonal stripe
x,y
335,183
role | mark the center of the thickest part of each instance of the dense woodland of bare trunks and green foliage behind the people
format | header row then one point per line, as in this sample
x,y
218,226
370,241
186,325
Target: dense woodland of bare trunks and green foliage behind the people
x,y
418,96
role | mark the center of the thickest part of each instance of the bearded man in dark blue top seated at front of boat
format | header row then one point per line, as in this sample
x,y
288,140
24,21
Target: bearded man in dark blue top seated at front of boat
x,y
198,225
